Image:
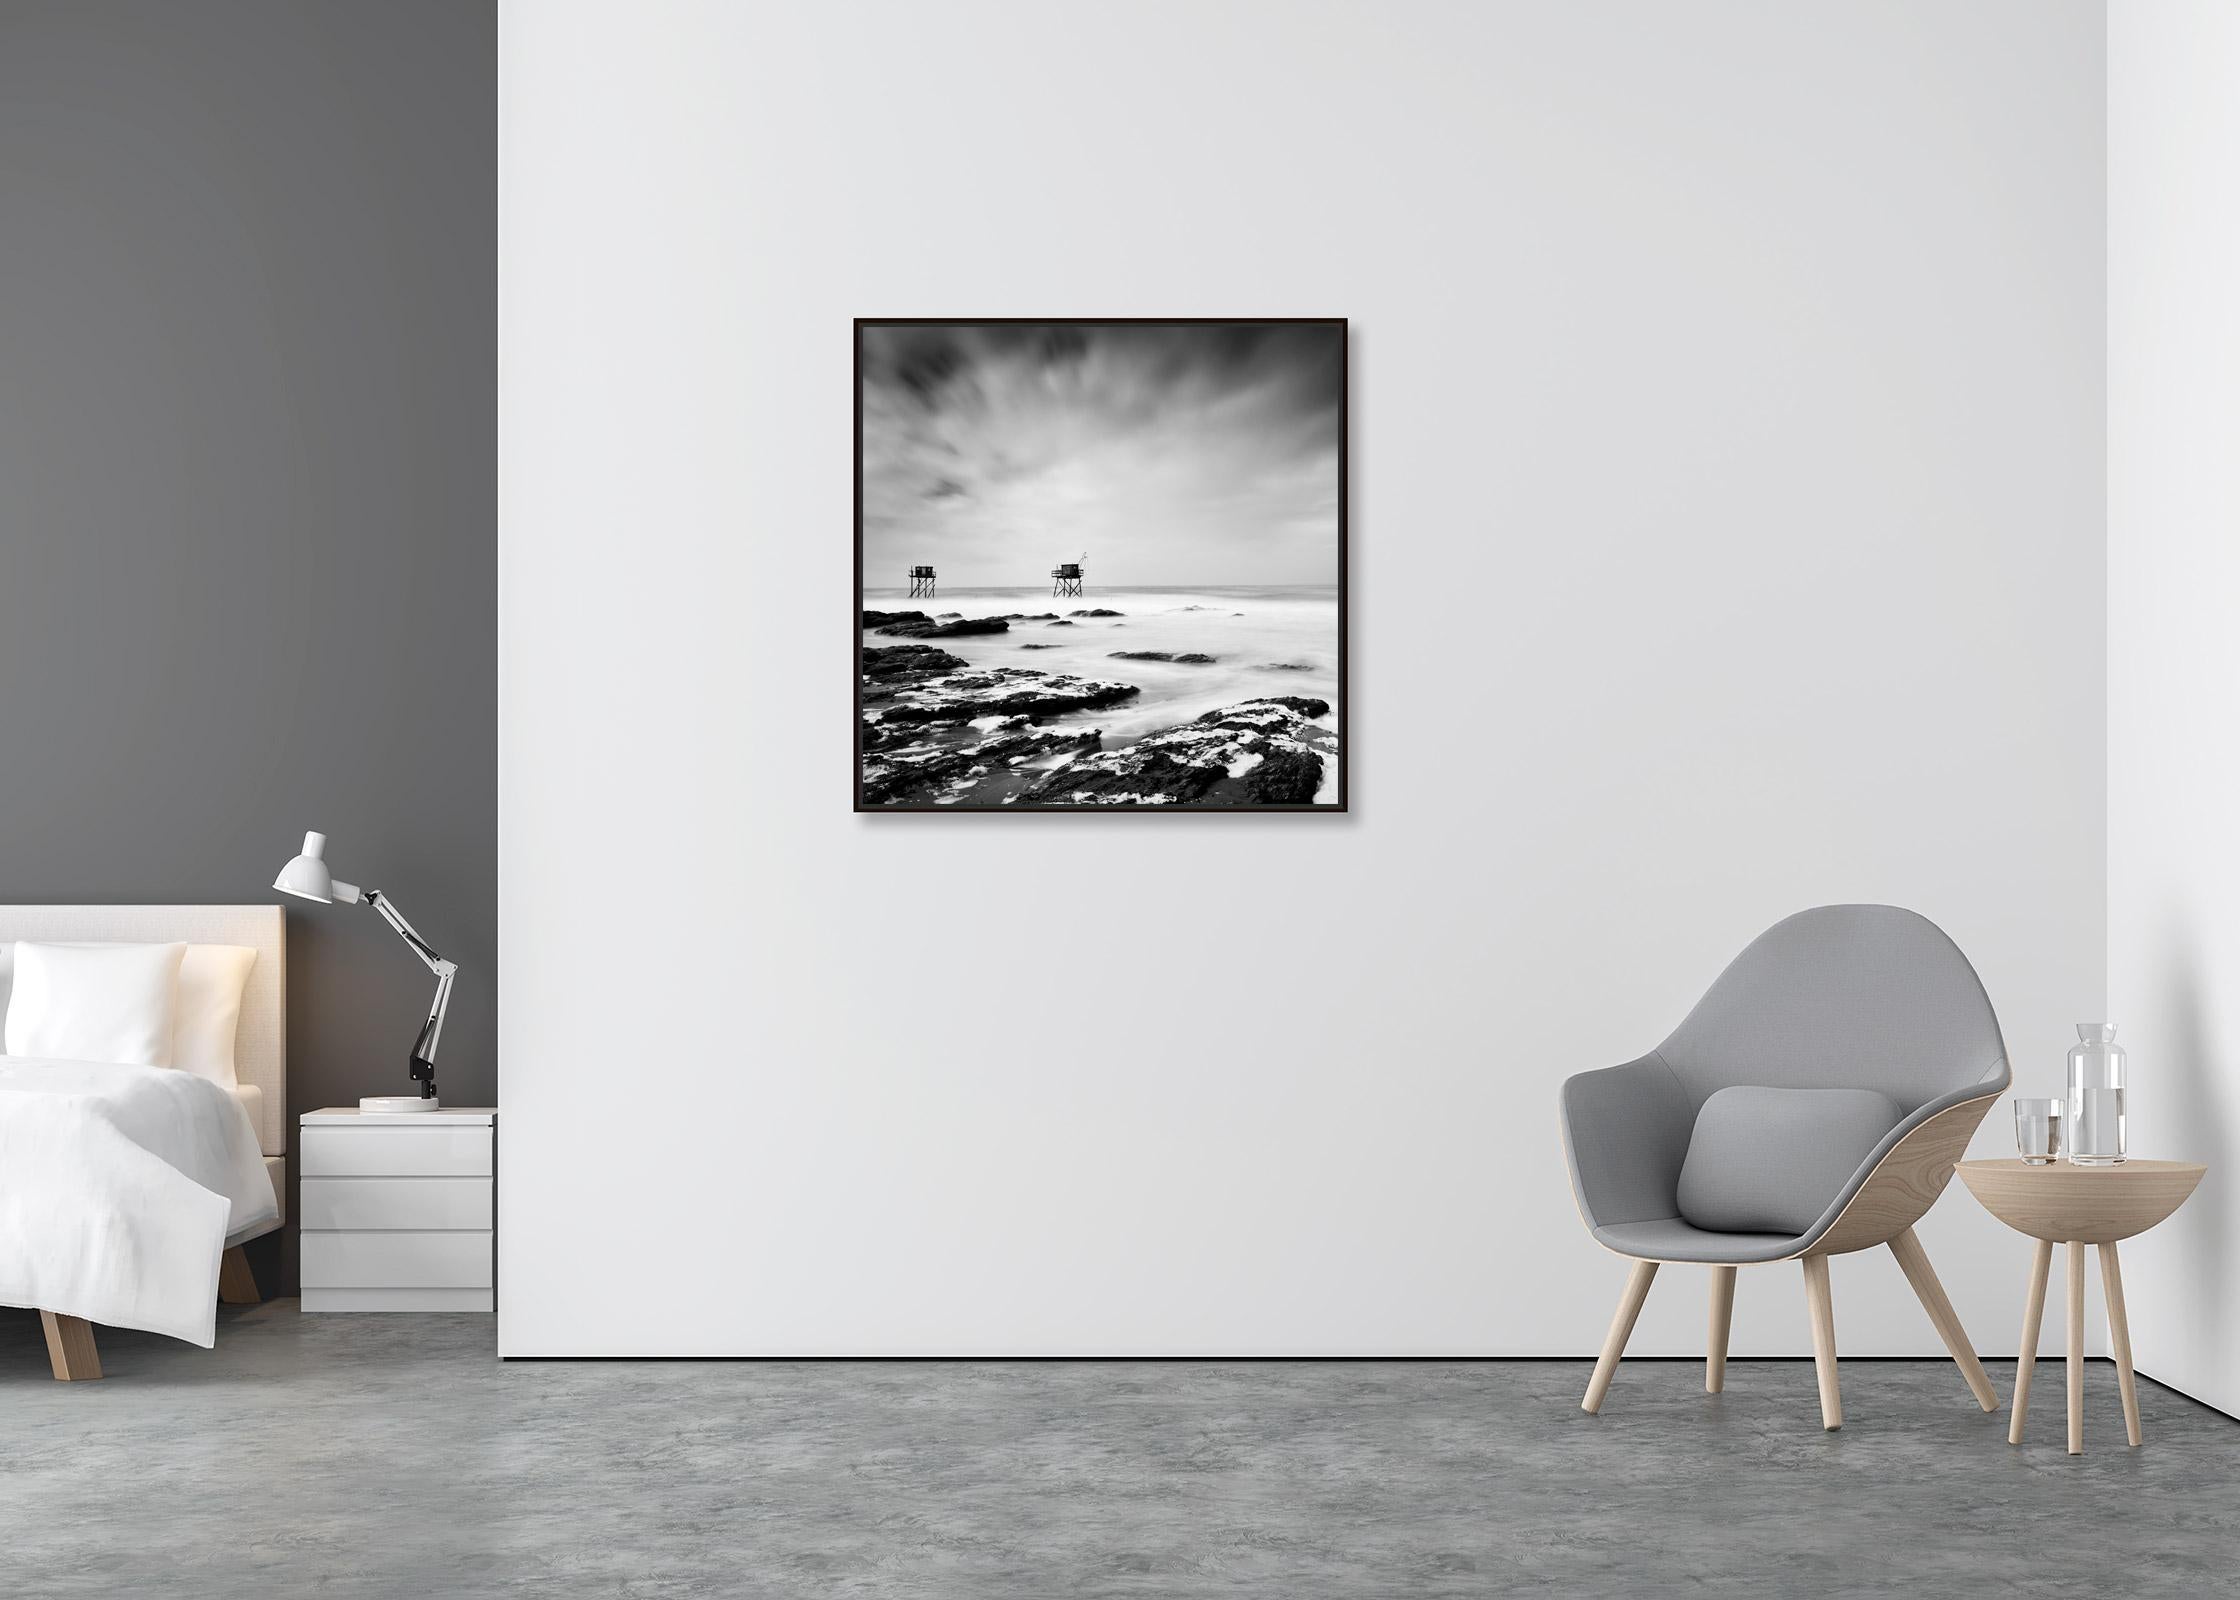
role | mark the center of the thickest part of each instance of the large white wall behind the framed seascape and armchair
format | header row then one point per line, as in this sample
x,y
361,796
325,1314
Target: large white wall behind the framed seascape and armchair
x,y
1728,539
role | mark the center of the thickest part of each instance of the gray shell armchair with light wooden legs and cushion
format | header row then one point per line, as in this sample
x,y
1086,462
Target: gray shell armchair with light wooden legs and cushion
x,y
1813,1104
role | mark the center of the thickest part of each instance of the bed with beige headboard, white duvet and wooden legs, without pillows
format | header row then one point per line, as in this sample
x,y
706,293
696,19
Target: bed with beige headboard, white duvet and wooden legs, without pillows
x,y
131,1191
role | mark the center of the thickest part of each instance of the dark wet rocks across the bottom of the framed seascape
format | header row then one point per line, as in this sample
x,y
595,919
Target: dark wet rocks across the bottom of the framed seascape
x,y
944,732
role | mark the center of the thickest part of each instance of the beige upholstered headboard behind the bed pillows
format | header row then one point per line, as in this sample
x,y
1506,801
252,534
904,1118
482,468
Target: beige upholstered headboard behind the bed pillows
x,y
261,1041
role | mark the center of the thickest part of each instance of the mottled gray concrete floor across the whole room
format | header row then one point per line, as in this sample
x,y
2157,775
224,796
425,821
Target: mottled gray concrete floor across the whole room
x,y
402,1458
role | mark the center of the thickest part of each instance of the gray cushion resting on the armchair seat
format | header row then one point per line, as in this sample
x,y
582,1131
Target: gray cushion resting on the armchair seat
x,y
1775,1160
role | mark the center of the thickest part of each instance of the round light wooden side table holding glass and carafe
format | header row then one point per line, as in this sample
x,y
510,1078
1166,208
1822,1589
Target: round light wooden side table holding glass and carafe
x,y
2078,1207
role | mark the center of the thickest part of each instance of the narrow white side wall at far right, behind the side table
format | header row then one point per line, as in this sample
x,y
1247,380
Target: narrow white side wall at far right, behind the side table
x,y
2174,658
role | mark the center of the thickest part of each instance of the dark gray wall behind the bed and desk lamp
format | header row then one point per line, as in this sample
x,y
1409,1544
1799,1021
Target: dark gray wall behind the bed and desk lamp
x,y
248,487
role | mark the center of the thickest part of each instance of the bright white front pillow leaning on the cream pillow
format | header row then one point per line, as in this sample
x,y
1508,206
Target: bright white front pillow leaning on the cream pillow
x,y
95,1003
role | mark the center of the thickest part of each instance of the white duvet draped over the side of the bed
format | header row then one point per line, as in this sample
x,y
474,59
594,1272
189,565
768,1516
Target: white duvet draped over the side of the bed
x,y
120,1189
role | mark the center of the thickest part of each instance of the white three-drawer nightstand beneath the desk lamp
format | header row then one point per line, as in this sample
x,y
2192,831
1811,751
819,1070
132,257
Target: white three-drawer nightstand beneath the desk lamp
x,y
400,1213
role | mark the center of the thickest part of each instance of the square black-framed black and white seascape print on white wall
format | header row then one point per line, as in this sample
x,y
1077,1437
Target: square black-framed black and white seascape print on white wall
x,y
1101,566
